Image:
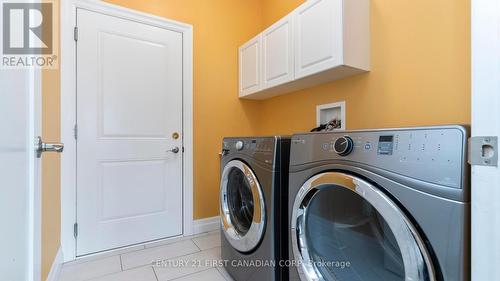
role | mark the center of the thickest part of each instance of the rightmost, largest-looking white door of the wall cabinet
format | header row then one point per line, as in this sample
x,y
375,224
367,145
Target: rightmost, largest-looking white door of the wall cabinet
x,y
318,36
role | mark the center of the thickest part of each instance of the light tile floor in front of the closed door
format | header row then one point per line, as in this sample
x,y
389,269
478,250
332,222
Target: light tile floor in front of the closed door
x,y
186,258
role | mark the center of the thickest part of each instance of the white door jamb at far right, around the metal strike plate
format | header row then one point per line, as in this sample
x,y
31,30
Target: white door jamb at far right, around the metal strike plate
x,y
485,122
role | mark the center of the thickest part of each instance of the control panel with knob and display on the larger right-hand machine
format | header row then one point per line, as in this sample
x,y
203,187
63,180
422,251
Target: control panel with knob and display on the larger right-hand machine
x,y
432,154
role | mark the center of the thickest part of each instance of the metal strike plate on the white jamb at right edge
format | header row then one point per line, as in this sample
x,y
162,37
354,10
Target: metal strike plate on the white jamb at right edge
x,y
483,151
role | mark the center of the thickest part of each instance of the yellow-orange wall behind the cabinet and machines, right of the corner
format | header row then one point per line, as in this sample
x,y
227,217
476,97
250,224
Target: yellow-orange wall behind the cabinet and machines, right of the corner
x,y
420,71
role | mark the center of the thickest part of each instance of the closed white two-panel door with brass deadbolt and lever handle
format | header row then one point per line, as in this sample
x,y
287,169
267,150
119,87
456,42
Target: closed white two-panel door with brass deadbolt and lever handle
x,y
129,108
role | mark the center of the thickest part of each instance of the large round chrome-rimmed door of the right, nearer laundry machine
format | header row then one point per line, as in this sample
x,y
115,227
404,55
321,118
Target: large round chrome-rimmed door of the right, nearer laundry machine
x,y
344,228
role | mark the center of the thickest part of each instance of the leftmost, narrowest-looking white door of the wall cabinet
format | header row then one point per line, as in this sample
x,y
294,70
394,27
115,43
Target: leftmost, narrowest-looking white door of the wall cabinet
x,y
249,66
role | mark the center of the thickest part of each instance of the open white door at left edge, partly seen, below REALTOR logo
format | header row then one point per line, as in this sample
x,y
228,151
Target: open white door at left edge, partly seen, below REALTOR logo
x,y
20,209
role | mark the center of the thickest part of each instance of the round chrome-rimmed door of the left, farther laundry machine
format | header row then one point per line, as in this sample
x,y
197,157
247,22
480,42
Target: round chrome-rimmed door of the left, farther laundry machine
x,y
242,206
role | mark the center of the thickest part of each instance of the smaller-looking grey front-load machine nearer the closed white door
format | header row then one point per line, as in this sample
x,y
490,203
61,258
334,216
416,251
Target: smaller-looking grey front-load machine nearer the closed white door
x,y
254,207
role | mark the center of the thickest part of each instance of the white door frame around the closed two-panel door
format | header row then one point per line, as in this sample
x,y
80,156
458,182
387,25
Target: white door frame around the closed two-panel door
x,y
68,110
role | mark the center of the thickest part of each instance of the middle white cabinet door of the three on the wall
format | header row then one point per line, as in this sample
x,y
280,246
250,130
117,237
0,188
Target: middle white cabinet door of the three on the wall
x,y
277,53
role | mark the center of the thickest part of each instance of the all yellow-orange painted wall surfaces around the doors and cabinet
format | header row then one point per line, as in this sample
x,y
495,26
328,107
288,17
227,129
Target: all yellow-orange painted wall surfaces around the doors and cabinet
x,y
420,76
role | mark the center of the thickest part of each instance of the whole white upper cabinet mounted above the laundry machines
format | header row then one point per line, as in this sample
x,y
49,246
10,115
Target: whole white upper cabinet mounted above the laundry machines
x,y
320,41
